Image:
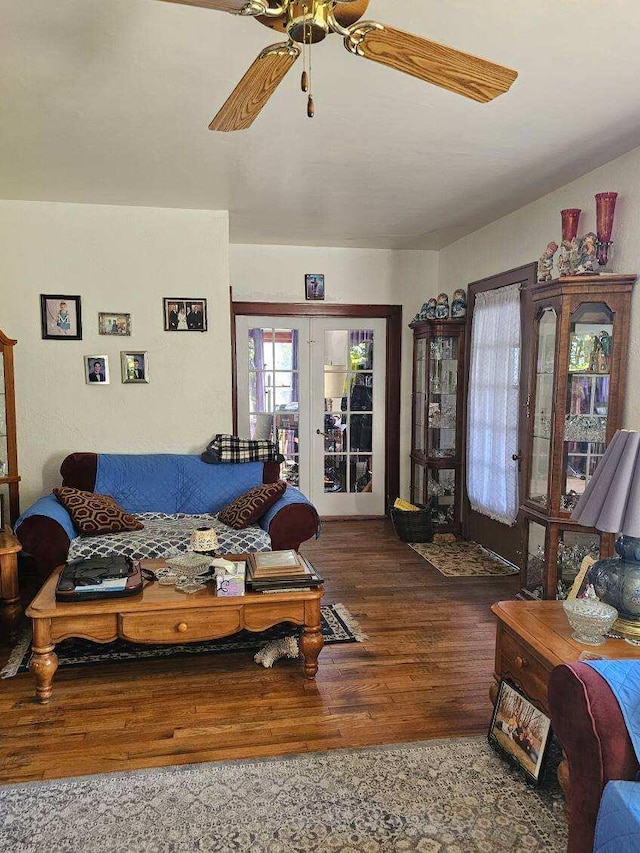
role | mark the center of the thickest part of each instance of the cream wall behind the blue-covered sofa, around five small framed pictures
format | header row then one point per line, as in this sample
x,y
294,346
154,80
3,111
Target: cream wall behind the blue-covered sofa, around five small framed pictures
x,y
116,259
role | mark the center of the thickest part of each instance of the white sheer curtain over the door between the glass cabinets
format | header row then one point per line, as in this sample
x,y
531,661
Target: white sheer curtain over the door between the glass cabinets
x,y
492,475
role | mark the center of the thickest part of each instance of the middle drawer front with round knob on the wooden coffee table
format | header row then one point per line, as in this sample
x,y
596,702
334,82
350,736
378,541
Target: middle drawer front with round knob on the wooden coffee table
x,y
180,626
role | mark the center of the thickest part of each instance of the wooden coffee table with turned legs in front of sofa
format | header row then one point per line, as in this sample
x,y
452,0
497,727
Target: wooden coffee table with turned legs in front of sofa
x,y
160,614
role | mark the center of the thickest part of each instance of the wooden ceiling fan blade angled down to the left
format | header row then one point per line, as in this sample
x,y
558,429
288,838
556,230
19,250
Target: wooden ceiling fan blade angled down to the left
x,y
246,101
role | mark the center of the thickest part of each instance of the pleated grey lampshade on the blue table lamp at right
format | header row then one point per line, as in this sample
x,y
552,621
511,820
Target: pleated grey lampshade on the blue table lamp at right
x,y
611,501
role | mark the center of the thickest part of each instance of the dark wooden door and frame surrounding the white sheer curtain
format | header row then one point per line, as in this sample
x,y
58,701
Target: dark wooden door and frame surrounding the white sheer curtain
x,y
493,531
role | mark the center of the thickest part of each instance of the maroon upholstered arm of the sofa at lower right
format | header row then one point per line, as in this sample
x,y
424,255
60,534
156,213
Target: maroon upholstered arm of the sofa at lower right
x,y
588,722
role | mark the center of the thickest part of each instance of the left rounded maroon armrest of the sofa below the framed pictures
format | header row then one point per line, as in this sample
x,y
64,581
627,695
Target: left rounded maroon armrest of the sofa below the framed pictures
x,y
45,531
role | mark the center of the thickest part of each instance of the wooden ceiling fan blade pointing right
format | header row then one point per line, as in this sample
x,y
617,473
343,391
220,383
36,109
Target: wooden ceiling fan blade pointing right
x,y
443,66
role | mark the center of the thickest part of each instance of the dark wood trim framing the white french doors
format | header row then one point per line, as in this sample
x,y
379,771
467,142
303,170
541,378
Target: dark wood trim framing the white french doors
x,y
393,316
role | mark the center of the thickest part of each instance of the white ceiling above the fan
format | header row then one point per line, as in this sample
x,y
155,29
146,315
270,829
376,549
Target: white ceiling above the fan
x,y
108,101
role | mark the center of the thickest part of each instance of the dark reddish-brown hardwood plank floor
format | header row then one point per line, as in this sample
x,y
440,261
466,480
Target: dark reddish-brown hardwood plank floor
x,y
424,673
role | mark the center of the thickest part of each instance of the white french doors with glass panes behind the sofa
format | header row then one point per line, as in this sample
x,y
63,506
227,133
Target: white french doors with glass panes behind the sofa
x,y
316,386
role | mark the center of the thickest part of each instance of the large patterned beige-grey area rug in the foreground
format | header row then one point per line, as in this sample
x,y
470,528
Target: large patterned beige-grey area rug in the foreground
x,y
447,795
